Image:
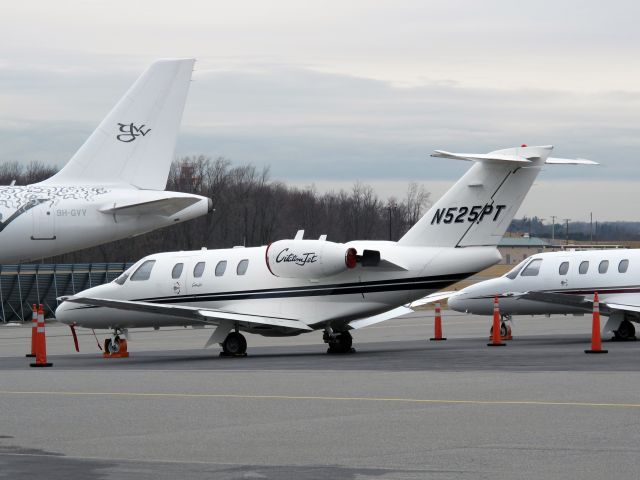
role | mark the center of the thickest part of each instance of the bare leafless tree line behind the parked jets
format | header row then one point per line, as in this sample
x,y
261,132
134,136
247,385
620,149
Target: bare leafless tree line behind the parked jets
x,y
251,209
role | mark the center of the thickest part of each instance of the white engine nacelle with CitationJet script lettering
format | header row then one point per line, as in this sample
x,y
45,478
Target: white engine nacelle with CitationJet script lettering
x,y
309,258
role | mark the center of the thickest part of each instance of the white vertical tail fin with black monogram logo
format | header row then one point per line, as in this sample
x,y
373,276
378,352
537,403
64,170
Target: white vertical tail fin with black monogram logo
x,y
136,141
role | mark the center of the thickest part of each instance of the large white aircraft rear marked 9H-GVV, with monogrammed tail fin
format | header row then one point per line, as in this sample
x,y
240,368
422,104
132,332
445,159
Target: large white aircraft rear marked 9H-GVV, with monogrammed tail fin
x,y
113,187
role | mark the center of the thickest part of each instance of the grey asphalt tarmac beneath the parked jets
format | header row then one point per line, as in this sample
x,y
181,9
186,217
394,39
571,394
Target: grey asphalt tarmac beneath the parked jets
x,y
401,407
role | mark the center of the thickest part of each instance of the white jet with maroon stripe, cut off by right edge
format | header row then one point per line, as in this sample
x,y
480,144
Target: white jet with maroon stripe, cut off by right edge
x,y
564,283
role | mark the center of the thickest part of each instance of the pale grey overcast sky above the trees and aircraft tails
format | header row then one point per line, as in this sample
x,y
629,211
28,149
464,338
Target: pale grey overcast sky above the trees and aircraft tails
x,y
334,92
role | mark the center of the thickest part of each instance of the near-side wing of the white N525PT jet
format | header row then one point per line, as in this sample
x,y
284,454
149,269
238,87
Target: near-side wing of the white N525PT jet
x,y
198,314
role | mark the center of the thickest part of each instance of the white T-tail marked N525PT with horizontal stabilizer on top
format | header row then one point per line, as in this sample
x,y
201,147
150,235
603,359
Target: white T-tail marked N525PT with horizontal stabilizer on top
x,y
478,209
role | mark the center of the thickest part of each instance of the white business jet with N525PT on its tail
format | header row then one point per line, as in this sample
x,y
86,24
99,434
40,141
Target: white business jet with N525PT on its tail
x,y
294,286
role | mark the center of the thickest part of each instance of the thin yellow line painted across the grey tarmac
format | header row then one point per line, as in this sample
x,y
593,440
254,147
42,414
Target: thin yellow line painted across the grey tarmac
x,y
534,403
